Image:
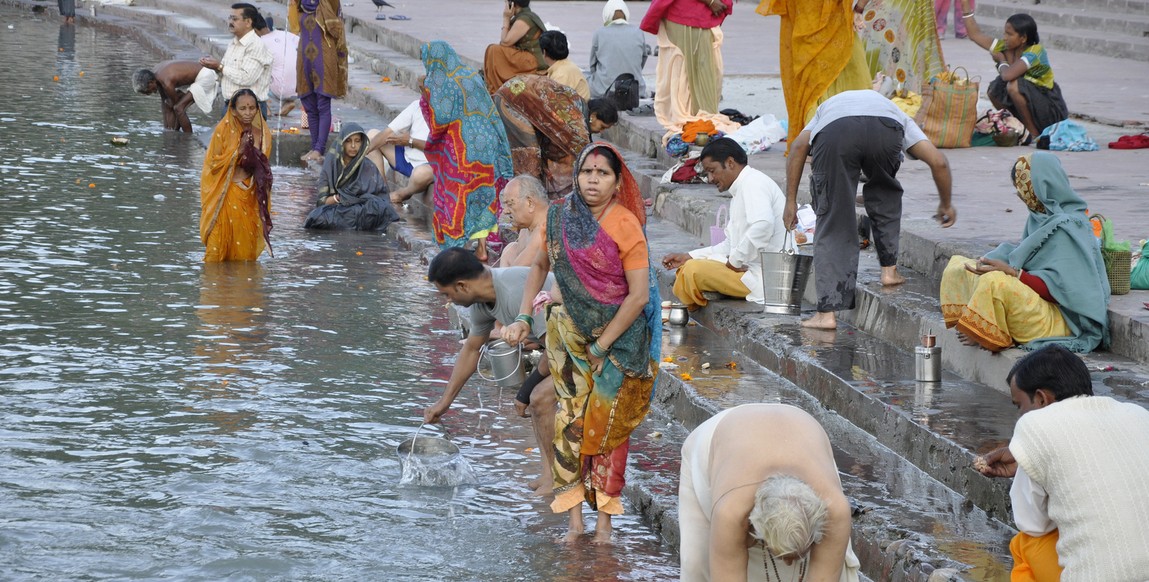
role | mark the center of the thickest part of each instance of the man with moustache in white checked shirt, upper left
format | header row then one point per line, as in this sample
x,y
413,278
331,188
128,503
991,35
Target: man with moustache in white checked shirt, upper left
x,y
248,61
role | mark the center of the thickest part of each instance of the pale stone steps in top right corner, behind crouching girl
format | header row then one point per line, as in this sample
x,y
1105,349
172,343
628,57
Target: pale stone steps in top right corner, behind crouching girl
x,y
1083,30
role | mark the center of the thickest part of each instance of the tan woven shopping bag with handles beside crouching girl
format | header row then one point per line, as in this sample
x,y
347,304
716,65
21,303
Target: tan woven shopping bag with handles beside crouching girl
x,y
950,118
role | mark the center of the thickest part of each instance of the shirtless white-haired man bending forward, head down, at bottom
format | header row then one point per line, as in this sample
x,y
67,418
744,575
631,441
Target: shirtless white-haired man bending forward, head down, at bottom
x,y
760,499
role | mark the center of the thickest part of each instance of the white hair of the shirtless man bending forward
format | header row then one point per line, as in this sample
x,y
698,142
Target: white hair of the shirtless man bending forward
x,y
788,516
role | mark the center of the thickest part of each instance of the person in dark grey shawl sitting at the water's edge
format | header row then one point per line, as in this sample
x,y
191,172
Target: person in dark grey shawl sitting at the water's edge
x,y
353,195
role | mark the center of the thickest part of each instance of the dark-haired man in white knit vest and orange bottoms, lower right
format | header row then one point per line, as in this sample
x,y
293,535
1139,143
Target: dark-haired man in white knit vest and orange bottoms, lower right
x,y
1081,469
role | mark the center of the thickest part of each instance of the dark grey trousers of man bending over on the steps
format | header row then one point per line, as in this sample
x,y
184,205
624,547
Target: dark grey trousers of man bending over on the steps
x,y
842,152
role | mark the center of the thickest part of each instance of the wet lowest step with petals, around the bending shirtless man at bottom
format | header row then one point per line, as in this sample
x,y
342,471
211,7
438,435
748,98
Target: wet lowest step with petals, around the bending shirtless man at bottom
x,y
907,526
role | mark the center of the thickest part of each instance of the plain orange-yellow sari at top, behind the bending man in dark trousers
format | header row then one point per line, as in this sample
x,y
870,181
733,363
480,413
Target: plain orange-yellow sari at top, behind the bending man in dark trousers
x,y
818,40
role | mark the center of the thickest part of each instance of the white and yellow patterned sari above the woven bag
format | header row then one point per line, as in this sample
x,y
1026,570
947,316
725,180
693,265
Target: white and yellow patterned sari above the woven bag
x,y
901,41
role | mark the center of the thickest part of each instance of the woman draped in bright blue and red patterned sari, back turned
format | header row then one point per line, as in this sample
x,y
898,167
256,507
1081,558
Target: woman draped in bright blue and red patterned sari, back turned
x,y
467,150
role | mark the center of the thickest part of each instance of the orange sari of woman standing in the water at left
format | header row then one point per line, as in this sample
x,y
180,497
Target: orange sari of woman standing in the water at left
x,y
230,226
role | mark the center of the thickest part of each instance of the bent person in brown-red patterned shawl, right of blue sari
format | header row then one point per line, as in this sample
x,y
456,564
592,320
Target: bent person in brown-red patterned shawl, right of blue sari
x,y
546,129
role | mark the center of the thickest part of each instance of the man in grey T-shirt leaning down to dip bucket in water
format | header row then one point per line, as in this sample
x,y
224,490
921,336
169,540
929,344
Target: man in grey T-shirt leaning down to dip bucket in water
x,y
496,296
